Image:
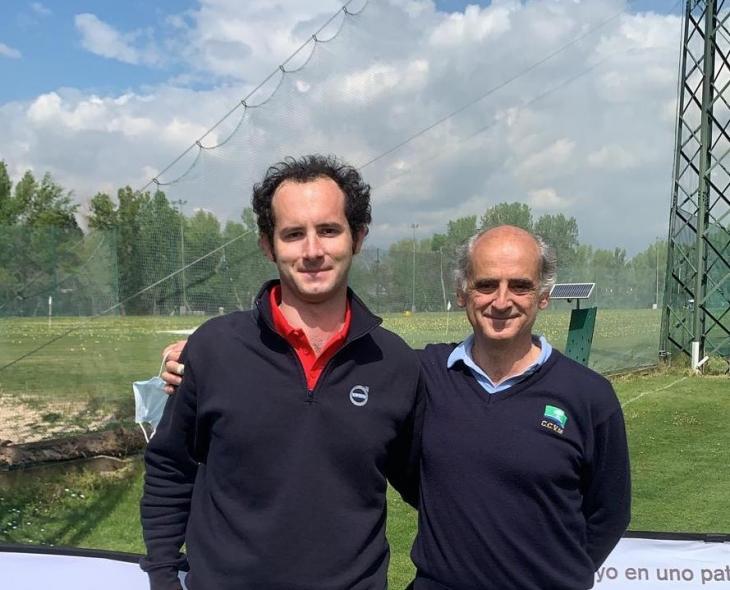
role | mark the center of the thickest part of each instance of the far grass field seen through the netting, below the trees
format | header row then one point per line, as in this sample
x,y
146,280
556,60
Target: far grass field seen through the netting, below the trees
x,y
91,365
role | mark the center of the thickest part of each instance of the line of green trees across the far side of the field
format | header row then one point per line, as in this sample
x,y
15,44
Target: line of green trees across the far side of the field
x,y
140,254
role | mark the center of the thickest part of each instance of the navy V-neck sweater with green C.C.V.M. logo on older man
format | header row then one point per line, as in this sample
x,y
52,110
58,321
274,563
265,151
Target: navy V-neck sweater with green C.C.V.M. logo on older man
x,y
516,495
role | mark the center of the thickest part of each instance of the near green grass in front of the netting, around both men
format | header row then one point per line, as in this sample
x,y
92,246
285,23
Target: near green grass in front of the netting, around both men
x,y
680,468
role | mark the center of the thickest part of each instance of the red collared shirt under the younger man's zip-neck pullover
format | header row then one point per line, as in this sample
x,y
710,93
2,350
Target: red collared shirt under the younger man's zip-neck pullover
x,y
311,363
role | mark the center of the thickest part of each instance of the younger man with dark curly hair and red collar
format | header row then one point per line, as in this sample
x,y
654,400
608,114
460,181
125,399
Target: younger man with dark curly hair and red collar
x,y
270,463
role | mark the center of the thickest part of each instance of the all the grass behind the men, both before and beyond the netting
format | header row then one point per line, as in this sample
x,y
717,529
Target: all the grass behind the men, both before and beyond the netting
x,y
677,427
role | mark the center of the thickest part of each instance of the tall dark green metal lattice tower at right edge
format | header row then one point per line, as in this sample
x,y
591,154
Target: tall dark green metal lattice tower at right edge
x,y
696,315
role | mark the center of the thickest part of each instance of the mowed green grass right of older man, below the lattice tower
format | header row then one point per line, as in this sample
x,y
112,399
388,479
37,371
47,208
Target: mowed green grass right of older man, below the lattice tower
x,y
678,441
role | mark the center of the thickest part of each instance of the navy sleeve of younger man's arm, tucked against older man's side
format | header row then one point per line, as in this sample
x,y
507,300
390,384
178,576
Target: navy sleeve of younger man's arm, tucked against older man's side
x,y
404,454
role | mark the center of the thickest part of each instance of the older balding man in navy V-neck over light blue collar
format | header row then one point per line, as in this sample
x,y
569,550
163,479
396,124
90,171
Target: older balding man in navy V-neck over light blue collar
x,y
524,467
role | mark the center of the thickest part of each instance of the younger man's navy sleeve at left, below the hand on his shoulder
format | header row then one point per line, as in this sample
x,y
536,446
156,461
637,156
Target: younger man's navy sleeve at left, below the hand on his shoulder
x,y
168,485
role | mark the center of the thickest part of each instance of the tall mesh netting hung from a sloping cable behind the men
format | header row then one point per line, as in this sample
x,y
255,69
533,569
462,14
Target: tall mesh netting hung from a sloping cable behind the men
x,y
84,314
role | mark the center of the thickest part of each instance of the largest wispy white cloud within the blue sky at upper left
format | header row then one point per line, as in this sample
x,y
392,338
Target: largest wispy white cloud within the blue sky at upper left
x,y
102,39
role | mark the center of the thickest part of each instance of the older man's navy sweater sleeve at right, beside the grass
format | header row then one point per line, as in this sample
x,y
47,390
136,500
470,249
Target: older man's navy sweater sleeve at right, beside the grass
x,y
607,499
